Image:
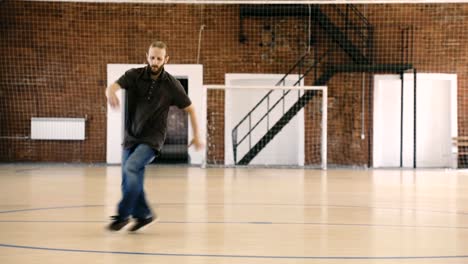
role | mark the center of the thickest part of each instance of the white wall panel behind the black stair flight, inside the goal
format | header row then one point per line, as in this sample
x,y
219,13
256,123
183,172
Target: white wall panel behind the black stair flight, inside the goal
x,y
287,147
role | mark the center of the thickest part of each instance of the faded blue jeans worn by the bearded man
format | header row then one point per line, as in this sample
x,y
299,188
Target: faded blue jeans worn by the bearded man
x,y
133,201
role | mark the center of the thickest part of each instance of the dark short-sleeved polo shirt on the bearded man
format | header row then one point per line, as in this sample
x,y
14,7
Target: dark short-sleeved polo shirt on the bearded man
x,y
147,105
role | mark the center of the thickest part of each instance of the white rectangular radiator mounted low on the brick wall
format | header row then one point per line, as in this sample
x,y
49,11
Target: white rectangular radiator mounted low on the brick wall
x,y
52,128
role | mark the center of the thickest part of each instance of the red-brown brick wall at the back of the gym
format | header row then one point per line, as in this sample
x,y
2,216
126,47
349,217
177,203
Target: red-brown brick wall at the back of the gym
x,y
53,61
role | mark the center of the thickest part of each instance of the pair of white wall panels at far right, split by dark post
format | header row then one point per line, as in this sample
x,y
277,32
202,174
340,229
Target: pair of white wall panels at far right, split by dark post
x,y
436,120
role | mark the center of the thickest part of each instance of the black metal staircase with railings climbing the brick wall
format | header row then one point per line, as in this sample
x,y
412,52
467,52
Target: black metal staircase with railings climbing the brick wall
x,y
352,33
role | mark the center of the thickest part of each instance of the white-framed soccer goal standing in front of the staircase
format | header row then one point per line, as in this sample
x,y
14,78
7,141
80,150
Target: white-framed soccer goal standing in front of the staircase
x,y
267,125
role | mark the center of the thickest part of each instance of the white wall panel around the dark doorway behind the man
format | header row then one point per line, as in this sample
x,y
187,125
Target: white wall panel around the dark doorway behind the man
x,y
196,92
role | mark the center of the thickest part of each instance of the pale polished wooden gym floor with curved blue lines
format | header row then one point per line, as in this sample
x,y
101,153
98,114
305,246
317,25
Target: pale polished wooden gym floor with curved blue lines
x,y
53,213
